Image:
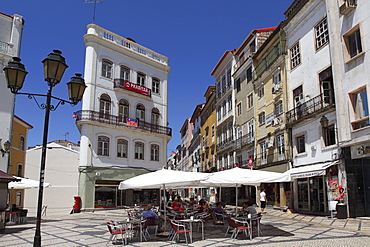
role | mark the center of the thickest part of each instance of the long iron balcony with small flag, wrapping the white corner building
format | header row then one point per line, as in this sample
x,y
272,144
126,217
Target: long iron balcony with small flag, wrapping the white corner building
x,y
108,119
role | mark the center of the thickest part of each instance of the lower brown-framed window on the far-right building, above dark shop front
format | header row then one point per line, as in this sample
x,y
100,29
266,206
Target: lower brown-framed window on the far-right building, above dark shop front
x,y
360,109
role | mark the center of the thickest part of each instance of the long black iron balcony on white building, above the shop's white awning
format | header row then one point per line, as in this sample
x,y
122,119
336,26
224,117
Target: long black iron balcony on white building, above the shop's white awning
x,y
310,108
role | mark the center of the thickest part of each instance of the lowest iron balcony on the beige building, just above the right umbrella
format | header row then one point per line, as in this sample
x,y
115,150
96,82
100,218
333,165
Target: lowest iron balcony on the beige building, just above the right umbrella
x,y
271,157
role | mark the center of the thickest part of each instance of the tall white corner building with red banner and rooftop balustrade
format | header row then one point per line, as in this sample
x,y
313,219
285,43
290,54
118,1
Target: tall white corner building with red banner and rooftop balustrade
x,y
123,122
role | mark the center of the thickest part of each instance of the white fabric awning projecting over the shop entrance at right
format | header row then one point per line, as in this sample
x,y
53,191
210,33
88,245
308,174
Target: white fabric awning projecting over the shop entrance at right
x,y
311,170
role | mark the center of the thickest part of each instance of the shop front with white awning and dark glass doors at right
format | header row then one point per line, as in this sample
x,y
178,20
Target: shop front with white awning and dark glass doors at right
x,y
315,186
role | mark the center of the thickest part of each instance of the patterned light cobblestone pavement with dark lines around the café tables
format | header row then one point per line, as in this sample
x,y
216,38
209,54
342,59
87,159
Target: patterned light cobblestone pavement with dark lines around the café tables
x,y
279,229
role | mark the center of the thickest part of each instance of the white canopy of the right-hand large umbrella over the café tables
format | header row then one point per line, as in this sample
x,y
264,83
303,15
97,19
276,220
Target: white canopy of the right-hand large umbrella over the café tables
x,y
238,176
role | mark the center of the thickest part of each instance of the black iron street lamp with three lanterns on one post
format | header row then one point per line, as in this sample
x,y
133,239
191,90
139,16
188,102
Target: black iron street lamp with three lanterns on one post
x,y
54,67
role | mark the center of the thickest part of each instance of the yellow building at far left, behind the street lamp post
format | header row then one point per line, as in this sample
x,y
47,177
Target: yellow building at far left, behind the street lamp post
x,y
18,157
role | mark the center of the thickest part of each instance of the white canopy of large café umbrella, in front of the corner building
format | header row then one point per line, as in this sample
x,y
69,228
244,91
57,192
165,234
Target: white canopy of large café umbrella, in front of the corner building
x,y
169,178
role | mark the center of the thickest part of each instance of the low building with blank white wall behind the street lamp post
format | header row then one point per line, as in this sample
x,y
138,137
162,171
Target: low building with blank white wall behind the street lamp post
x,y
62,161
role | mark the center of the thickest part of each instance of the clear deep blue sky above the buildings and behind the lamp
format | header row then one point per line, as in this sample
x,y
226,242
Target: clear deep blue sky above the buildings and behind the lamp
x,y
194,34
